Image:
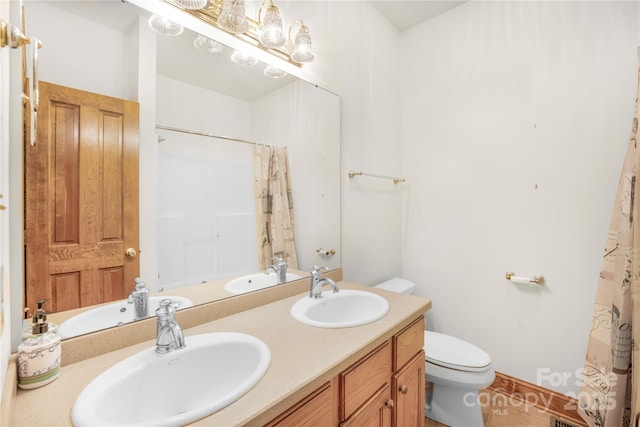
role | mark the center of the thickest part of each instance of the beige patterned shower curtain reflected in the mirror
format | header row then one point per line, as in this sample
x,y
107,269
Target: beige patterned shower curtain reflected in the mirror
x,y
274,206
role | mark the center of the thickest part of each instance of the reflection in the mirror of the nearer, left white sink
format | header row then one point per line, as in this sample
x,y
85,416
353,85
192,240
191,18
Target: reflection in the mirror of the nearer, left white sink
x,y
110,315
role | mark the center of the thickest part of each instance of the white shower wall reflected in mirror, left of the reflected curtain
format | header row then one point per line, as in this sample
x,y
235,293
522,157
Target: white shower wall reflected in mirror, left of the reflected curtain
x,y
205,215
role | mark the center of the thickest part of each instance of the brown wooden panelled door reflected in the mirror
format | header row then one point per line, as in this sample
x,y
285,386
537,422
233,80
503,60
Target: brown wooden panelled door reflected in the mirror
x,y
81,200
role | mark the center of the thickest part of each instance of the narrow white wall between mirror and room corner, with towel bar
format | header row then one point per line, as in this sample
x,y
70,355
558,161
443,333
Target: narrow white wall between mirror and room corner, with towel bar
x,y
358,58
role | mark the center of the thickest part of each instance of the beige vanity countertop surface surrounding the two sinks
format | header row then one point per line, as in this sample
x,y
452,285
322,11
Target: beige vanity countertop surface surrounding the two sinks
x,y
302,359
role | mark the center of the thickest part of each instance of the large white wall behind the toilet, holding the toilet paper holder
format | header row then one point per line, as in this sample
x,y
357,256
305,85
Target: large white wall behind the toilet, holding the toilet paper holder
x,y
516,116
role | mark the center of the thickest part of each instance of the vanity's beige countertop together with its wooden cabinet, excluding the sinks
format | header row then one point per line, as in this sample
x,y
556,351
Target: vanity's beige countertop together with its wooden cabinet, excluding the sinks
x,y
366,375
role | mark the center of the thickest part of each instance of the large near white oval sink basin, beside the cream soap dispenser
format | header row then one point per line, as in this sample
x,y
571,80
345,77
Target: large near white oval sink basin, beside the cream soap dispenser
x,y
174,388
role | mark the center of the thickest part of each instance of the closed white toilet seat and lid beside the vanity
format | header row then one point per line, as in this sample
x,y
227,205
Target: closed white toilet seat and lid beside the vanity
x,y
454,353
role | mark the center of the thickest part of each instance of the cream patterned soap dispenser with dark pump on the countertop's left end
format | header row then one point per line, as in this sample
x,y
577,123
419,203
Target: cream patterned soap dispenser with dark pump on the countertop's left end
x,y
39,354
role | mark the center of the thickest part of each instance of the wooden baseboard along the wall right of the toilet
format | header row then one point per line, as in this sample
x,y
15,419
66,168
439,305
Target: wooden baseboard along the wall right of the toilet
x,y
540,397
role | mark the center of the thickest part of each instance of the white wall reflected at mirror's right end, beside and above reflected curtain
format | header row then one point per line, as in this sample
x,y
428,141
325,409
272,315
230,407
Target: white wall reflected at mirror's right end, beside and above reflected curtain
x,y
307,120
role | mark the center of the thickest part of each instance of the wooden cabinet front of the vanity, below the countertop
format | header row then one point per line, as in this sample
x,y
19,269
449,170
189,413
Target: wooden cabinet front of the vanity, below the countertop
x,y
366,394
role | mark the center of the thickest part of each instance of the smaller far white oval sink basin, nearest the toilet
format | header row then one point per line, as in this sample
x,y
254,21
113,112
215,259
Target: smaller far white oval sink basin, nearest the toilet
x,y
340,310
